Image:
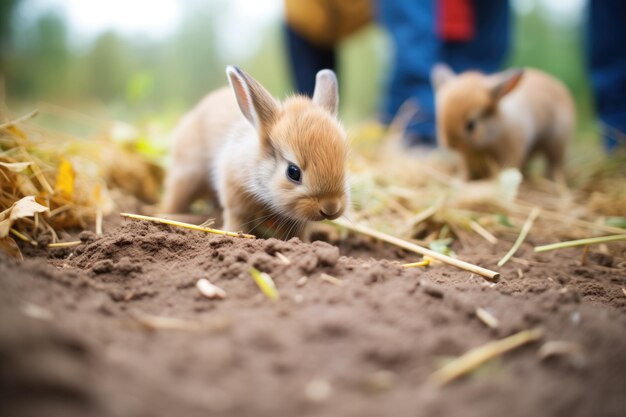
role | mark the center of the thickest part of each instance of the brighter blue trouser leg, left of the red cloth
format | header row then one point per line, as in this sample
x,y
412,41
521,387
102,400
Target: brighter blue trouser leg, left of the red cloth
x,y
411,25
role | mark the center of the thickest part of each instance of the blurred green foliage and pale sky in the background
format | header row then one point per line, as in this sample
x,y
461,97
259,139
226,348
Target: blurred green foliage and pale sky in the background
x,y
140,78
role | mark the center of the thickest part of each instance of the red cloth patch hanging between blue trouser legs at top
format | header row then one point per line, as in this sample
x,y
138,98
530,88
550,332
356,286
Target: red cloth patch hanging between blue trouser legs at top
x,y
455,20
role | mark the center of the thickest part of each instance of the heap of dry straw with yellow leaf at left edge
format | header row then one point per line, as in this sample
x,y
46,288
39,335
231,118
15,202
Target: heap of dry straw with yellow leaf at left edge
x,y
42,165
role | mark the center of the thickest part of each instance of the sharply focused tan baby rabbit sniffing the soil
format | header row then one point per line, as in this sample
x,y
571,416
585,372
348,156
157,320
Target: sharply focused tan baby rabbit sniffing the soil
x,y
272,166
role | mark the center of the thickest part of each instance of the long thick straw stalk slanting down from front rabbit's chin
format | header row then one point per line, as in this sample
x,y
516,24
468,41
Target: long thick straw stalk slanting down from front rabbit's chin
x,y
486,273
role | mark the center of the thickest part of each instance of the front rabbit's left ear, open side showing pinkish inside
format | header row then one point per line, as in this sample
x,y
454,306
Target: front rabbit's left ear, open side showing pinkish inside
x,y
256,104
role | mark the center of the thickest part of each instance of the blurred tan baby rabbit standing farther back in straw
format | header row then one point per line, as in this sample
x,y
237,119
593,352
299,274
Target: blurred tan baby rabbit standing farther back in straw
x,y
499,121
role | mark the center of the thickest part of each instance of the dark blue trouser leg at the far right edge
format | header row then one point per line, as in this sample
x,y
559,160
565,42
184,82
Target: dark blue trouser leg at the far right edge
x,y
606,55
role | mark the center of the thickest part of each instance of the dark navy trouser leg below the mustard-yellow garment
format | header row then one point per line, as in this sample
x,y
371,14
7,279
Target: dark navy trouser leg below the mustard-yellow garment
x,y
306,60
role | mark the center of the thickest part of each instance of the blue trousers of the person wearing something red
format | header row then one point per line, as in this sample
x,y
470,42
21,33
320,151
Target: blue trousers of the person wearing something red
x,y
412,26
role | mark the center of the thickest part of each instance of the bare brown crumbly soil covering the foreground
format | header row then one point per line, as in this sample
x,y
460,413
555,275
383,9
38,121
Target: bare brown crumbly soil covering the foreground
x,y
74,340
